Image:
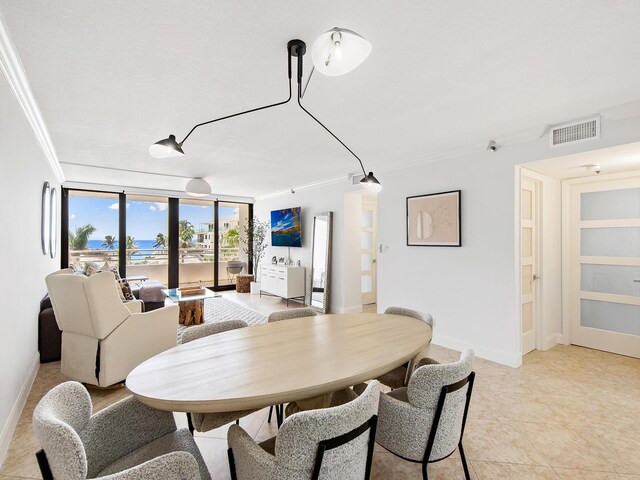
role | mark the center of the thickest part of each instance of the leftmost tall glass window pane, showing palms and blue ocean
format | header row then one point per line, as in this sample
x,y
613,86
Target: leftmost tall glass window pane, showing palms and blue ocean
x,y
93,228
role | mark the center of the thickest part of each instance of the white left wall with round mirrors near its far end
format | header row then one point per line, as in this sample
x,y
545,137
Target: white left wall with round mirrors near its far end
x,y
24,170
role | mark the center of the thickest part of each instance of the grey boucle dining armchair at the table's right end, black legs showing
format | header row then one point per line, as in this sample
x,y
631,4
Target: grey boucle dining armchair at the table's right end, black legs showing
x,y
424,421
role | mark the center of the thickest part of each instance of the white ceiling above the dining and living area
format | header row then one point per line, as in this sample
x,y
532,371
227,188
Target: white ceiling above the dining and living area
x,y
113,77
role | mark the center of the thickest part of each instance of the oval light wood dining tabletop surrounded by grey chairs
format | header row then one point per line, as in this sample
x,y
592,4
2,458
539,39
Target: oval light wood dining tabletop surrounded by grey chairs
x,y
279,362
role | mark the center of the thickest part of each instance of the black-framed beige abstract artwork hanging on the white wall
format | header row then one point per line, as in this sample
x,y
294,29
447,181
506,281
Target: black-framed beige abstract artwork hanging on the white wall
x,y
434,220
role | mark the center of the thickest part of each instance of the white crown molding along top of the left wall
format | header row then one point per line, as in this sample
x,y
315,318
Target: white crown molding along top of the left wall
x,y
13,71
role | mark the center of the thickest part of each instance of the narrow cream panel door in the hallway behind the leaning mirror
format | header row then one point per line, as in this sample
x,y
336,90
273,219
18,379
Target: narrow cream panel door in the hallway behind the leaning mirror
x,y
368,258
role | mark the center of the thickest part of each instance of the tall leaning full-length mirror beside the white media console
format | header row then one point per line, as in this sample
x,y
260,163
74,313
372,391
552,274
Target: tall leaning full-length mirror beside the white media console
x,y
321,261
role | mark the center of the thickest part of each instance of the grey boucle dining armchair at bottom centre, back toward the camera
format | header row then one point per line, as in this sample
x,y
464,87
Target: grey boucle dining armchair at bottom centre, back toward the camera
x,y
334,442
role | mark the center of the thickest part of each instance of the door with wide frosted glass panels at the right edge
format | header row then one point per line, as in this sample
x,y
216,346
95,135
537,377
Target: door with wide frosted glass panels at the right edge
x,y
605,266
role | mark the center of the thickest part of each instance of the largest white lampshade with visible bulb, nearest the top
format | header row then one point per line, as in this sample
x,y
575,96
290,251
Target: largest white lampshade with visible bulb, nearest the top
x,y
338,51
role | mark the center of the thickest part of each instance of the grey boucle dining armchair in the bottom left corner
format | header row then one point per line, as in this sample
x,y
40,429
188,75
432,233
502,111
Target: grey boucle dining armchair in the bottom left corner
x,y
126,441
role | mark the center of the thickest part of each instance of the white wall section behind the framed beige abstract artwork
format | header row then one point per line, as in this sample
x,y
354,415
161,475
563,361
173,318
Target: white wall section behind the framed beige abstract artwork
x,y
469,290
